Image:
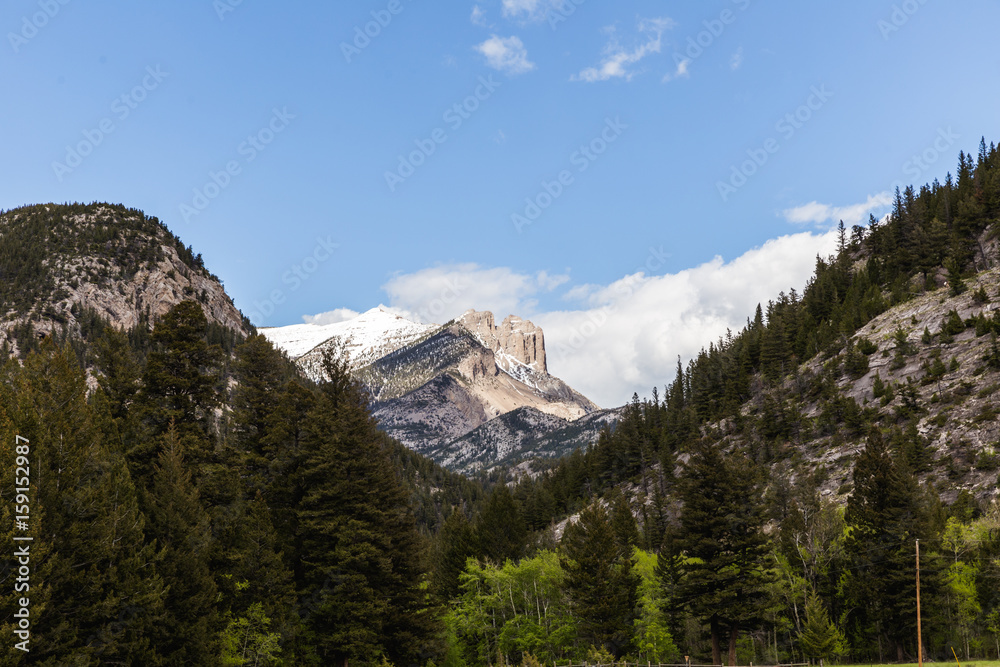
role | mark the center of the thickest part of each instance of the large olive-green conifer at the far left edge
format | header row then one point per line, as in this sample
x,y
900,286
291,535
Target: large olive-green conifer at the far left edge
x,y
94,589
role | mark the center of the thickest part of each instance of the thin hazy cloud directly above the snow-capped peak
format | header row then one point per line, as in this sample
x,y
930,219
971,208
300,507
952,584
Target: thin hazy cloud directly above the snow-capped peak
x,y
441,293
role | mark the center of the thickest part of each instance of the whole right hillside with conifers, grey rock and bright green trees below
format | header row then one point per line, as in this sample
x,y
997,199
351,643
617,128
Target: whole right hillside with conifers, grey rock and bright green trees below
x,y
768,504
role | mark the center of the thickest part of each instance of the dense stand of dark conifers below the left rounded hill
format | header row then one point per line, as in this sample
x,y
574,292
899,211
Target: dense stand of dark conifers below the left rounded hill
x,y
199,507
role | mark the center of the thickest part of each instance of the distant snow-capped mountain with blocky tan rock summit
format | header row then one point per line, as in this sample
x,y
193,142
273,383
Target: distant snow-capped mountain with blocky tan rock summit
x,y
432,385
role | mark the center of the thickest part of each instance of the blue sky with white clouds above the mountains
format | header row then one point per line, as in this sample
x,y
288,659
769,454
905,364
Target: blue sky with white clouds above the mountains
x,y
263,133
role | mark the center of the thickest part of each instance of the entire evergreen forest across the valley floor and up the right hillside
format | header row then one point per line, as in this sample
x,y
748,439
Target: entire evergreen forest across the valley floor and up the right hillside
x,y
196,501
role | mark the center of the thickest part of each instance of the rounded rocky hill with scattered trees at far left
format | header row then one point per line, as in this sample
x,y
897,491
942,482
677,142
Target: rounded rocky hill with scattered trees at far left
x,y
58,262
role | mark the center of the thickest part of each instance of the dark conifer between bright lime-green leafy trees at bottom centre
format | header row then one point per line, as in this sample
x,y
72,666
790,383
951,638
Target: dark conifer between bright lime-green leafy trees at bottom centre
x,y
601,582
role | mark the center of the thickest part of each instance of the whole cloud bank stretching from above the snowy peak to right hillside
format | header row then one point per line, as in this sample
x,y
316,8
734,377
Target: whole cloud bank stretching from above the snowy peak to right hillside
x,y
624,337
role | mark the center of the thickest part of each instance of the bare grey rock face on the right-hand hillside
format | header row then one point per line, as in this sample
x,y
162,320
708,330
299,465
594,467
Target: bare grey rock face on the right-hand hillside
x,y
947,382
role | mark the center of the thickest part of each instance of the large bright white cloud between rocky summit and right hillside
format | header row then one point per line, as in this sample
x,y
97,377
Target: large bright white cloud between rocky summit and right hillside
x,y
625,337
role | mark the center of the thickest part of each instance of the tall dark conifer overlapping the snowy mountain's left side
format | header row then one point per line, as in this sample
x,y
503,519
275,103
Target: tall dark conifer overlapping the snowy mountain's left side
x,y
361,554
